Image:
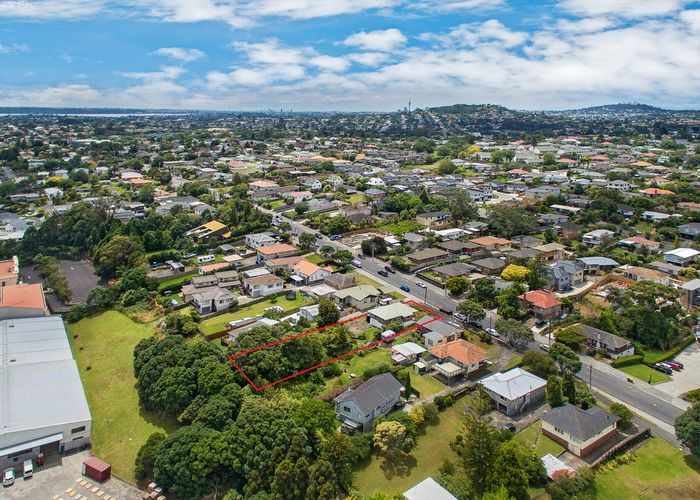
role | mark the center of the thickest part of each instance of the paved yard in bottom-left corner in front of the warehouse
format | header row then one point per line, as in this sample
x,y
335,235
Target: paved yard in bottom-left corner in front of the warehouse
x,y
61,478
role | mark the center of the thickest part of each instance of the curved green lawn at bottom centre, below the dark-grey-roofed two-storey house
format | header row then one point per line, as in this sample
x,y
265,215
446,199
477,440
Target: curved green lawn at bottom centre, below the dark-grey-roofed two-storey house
x,y
432,448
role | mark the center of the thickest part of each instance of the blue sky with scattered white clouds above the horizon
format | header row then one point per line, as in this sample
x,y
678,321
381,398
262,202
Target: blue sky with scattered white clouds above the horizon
x,y
348,55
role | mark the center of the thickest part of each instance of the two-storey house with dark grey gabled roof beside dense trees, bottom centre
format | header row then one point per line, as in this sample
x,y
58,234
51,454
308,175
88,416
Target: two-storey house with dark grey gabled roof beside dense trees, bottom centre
x,y
357,408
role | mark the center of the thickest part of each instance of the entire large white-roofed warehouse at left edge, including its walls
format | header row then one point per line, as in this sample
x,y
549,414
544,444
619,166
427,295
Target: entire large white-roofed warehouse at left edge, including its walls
x,y
42,404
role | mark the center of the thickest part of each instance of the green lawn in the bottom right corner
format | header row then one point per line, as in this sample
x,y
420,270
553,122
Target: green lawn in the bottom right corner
x,y
659,471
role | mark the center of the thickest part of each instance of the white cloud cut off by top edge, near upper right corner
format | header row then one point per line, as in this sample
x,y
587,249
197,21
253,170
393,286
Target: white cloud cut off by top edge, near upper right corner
x,y
629,9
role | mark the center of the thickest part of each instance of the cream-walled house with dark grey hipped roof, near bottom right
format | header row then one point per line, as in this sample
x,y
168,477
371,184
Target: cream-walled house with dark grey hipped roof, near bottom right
x,y
579,431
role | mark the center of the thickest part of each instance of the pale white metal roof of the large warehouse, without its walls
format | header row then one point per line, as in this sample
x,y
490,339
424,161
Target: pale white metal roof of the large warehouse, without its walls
x,y
37,366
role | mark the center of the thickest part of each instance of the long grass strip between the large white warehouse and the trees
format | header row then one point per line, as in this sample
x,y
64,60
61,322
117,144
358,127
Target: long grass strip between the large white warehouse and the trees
x,y
119,425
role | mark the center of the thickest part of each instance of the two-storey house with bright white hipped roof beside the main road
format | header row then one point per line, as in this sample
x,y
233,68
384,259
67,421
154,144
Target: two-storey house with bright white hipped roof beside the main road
x,y
515,390
